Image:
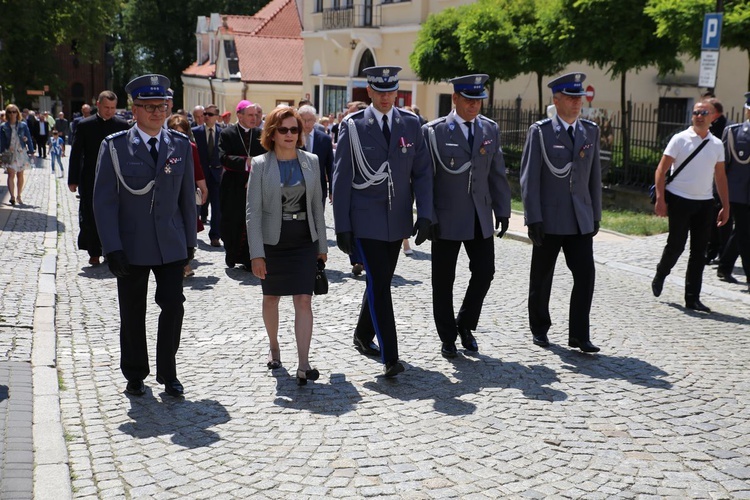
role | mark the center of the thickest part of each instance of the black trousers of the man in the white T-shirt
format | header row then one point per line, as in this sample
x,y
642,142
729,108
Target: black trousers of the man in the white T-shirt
x,y
693,217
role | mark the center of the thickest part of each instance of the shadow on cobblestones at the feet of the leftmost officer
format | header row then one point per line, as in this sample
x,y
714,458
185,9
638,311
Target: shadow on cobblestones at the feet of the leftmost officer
x,y
186,421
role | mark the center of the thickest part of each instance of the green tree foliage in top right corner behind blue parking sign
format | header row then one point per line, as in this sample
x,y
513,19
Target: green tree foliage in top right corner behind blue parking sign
x,y
682,22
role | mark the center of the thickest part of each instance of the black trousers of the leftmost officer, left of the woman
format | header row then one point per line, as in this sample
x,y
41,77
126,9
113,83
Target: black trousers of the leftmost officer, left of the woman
x,y
132,291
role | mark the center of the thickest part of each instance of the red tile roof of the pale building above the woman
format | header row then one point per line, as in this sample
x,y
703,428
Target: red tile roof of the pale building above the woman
x,y
273,34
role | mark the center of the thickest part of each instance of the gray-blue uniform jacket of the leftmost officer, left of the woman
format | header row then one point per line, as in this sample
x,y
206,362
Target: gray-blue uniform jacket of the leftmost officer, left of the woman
x,y
157,227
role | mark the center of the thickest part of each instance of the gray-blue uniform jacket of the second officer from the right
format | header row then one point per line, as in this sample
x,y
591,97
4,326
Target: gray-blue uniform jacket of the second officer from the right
x,y
482,189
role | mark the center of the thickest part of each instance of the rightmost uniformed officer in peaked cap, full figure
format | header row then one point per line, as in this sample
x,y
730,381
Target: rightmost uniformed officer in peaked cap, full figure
x,y
561,191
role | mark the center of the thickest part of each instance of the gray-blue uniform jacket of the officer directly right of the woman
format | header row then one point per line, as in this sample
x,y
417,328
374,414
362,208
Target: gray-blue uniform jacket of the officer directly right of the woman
x,y
370,212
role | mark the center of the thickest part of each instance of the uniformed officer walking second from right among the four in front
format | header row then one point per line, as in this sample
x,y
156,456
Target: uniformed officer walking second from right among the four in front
x,y
469,185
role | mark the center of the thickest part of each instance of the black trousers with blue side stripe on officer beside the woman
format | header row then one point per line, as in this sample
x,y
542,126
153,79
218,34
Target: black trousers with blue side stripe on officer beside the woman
x,y
376,314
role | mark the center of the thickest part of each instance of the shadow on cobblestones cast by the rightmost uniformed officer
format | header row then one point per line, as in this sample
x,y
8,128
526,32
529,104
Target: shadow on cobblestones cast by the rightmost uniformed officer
x,y
602,366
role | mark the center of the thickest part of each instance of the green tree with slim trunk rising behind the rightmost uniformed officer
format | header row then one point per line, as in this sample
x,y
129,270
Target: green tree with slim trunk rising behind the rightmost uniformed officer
x,y
586,29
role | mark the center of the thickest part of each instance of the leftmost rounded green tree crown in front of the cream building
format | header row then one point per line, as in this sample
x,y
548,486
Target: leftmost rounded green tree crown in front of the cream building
x,y
437,52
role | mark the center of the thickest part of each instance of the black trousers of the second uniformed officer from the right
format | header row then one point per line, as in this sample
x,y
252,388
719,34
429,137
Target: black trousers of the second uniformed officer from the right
x,y
481,253
